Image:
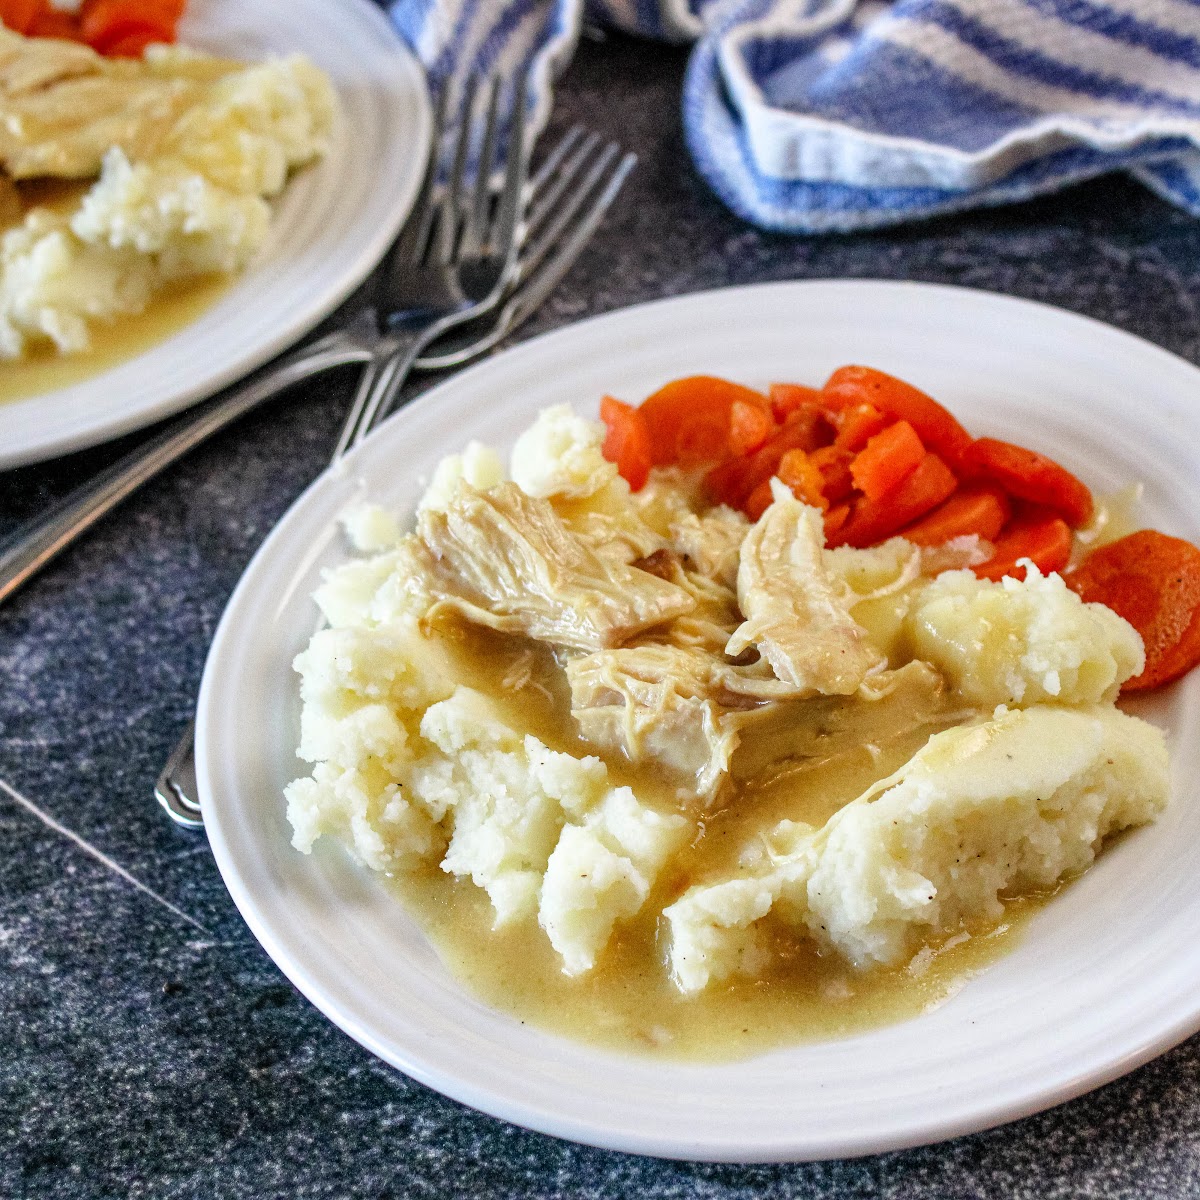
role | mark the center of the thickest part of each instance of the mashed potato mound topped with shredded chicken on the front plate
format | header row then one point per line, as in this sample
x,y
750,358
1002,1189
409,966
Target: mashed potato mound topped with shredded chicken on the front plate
x,y
580,831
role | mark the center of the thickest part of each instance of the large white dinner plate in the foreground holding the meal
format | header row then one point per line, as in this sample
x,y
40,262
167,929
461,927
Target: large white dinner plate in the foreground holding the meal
x,y
1106,977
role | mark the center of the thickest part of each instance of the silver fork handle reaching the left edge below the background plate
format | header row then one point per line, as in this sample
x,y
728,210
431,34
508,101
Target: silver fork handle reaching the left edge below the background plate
x,y
38,542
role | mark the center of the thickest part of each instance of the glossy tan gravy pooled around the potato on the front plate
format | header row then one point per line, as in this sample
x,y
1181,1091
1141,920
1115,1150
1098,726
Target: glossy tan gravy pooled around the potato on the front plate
x,y
628,1001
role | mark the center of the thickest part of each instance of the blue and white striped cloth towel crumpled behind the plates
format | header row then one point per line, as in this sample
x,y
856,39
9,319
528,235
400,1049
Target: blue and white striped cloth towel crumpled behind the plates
x,y
820,116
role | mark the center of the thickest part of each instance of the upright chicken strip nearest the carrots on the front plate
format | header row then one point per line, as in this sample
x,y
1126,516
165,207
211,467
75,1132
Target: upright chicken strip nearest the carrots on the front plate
x,y
795,613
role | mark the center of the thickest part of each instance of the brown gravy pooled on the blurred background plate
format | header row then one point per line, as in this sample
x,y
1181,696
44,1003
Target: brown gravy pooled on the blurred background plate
x,y
45,370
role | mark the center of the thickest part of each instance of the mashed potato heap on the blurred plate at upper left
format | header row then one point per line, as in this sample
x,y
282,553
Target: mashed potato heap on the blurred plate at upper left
x,y
196,205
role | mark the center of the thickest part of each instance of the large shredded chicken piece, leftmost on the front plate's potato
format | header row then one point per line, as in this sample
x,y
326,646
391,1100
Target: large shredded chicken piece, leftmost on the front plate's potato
x,y
507,561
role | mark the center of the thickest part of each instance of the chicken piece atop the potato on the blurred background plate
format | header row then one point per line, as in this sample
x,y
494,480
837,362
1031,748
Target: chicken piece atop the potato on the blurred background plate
x,y
63,107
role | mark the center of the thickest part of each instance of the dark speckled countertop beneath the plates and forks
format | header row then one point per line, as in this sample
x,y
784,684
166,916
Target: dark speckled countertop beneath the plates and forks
x,y
143,1058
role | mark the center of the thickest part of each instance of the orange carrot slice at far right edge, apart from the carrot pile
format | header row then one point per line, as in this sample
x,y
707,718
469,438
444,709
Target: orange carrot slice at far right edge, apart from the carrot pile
x,y
1154,581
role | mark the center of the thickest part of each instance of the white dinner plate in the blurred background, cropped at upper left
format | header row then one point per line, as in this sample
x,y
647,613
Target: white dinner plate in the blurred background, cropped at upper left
x,y
331,227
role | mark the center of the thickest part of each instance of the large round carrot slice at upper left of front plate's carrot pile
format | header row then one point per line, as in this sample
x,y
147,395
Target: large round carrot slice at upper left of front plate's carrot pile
x,y
689,419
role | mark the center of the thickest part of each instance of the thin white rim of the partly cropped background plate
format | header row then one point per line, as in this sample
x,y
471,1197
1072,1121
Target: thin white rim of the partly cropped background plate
x,y
358,267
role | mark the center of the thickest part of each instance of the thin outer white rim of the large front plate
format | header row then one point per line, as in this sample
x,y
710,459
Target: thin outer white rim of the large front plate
x,y
983,1115
